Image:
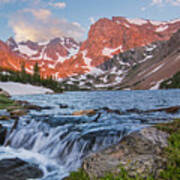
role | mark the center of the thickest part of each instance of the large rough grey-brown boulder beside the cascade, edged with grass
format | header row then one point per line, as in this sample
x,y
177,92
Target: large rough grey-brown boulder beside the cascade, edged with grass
x,y
138,153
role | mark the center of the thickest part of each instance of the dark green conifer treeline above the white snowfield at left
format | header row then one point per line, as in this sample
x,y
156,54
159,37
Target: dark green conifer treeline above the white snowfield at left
x,y
34,79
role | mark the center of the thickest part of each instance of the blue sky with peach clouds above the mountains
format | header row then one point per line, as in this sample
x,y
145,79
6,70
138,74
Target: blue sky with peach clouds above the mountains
x,y
41,20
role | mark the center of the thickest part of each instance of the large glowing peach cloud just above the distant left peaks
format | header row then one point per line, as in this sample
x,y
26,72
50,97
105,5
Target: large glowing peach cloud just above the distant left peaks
x,y
33,26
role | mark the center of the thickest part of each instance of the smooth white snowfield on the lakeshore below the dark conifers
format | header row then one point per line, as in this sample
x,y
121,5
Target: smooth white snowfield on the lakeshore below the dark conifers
x,y
23,89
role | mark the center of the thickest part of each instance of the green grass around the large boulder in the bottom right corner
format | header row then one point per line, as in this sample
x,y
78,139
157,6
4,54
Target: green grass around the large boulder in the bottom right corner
x,y
172,153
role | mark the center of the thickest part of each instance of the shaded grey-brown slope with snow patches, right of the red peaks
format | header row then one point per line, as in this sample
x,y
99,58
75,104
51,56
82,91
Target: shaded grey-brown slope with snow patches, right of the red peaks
x,y
138,68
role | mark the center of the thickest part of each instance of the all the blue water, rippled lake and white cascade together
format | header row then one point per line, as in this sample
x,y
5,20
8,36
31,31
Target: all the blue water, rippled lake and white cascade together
x,y
58,141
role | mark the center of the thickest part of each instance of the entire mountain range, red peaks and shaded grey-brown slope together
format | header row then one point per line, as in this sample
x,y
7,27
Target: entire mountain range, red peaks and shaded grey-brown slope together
x,y
119,53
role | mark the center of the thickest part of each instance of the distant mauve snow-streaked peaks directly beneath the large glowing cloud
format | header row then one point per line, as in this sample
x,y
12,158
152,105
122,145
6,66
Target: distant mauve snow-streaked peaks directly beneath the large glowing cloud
x,y
58,49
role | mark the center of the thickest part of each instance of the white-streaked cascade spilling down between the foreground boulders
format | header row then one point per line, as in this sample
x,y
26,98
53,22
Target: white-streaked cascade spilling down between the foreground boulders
x,y
65,144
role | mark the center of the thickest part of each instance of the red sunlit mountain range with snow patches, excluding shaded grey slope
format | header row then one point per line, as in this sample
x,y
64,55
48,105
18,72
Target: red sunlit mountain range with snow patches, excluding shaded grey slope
x,y
63,57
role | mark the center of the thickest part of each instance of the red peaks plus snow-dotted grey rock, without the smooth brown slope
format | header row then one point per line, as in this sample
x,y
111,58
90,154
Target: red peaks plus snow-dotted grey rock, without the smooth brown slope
x,y
113,47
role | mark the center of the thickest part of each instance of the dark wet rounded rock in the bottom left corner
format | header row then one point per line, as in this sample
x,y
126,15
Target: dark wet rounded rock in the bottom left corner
x,y
16,169
